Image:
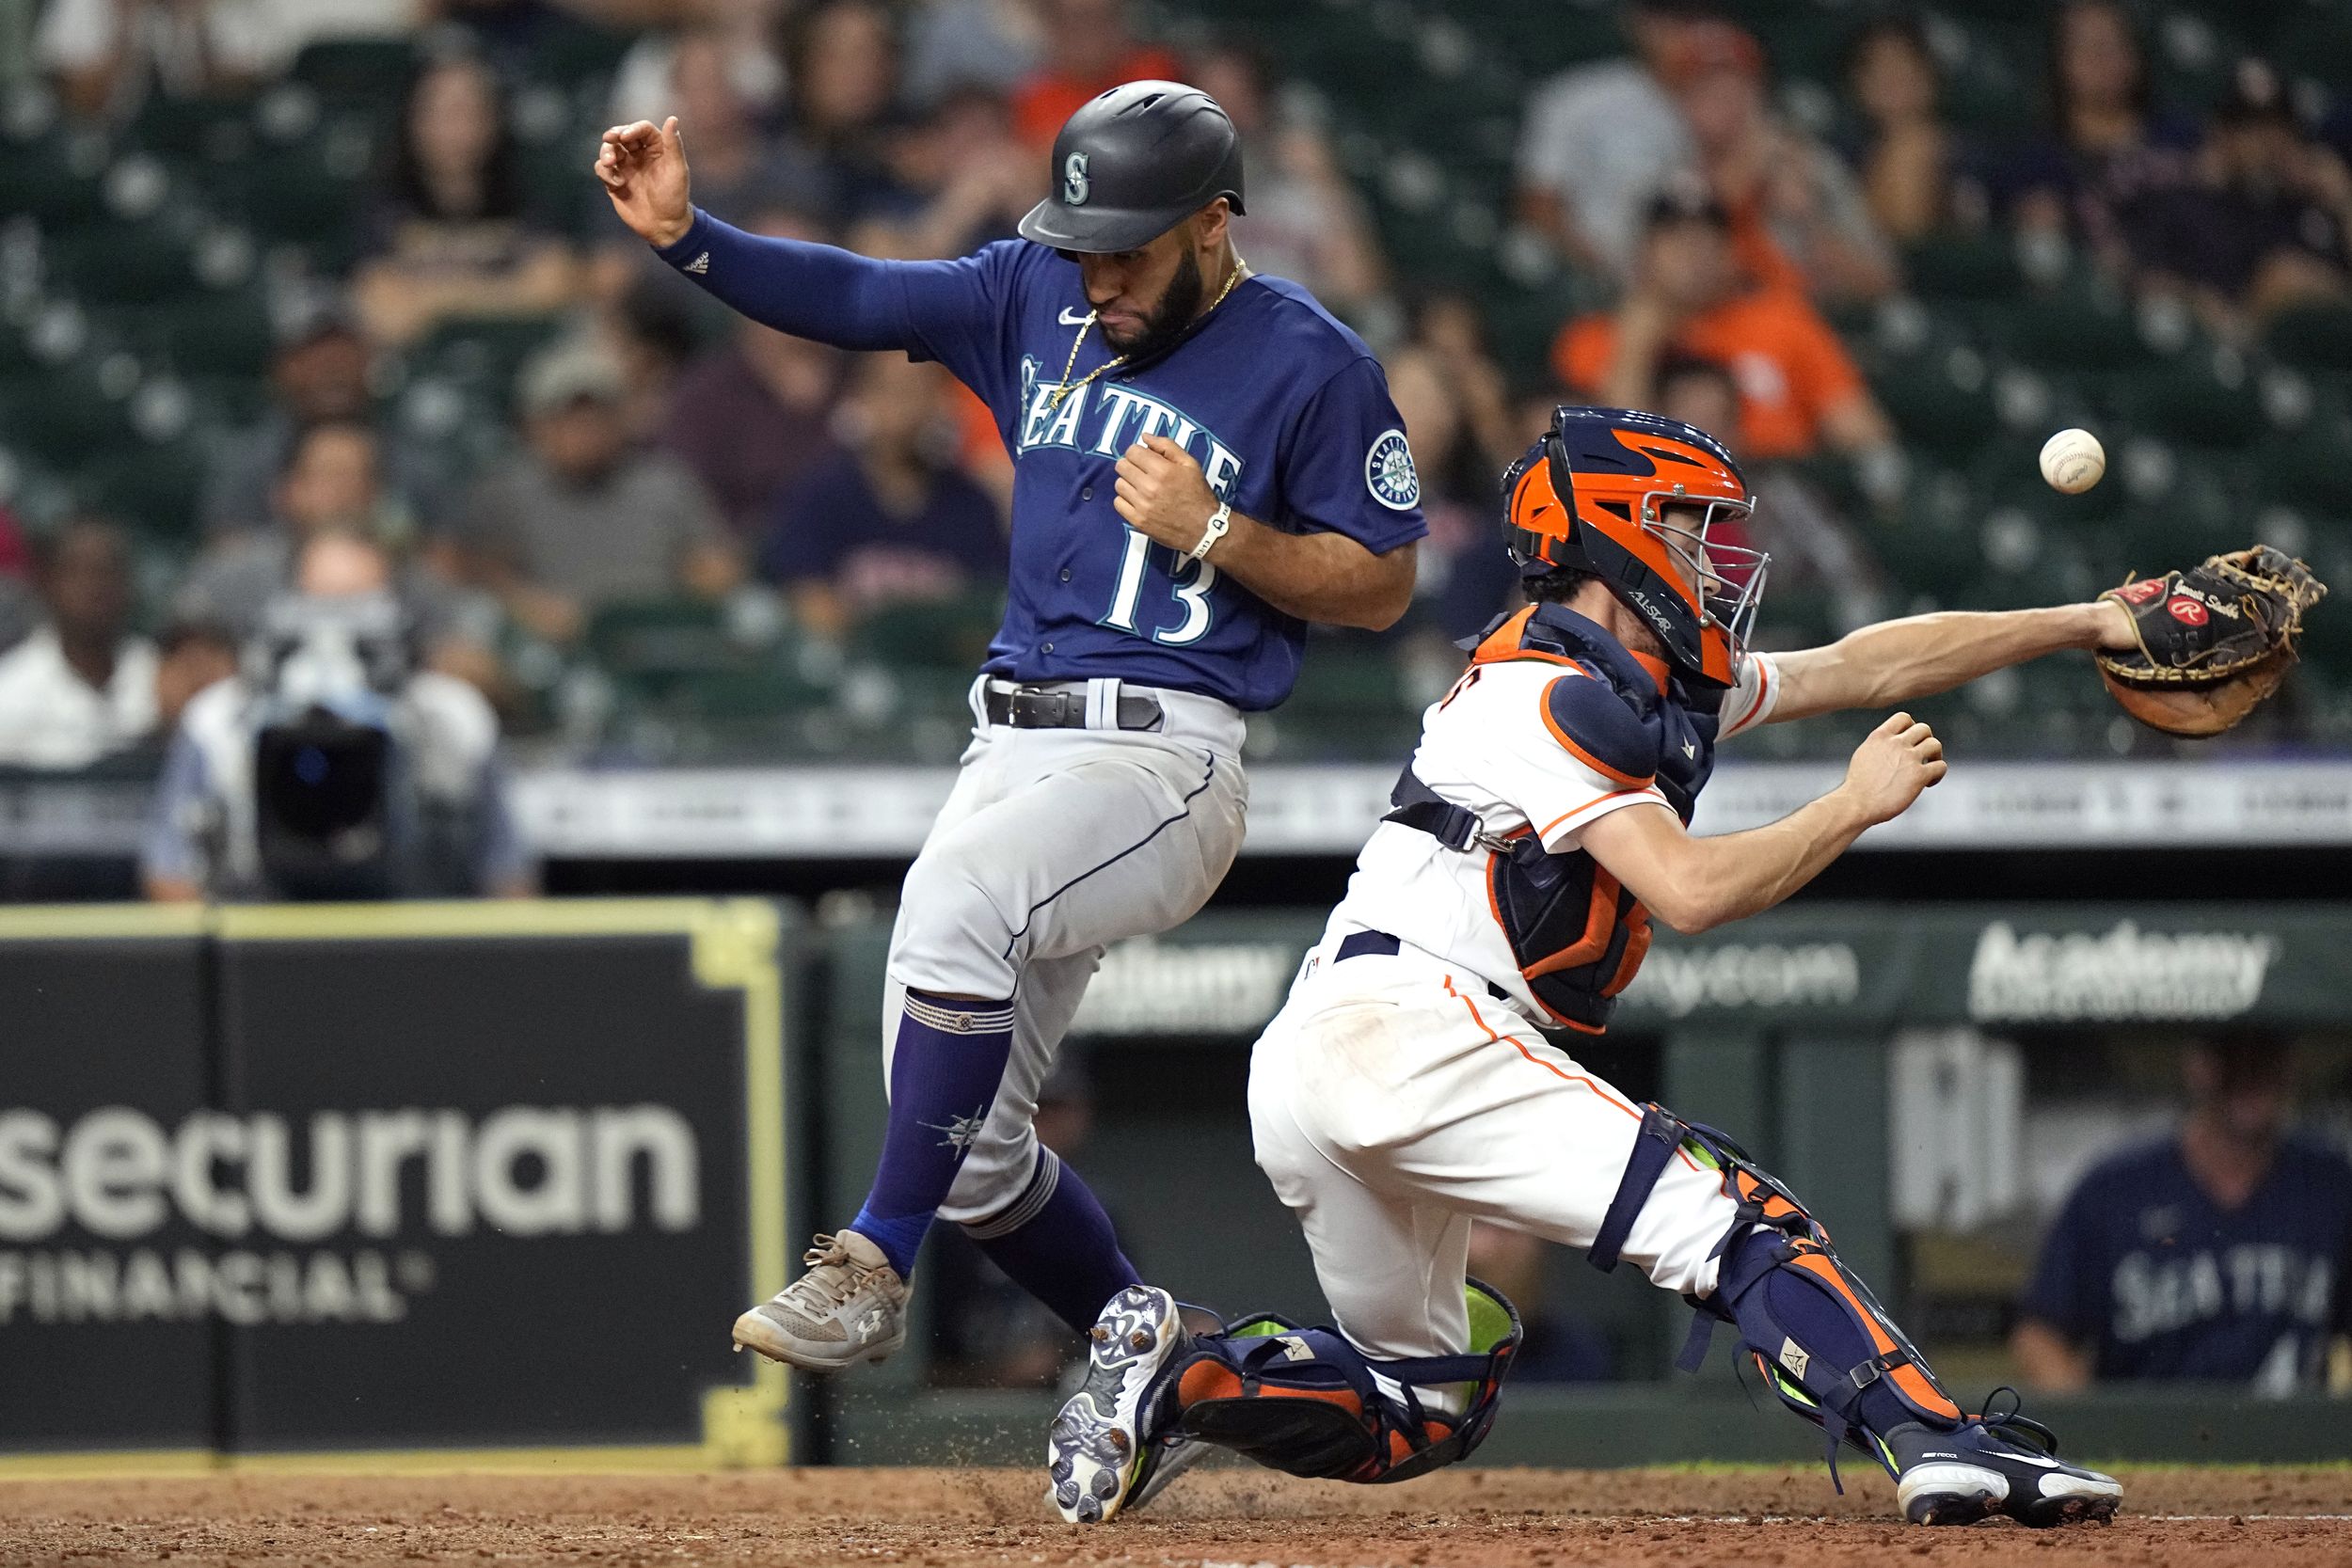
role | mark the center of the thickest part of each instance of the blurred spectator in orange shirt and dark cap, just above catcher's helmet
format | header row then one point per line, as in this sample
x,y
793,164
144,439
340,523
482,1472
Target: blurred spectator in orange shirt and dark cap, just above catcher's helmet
x,y
1798,387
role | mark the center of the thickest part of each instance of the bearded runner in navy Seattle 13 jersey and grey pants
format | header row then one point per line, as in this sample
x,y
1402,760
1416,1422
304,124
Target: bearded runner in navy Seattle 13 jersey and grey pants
x,y
1203,464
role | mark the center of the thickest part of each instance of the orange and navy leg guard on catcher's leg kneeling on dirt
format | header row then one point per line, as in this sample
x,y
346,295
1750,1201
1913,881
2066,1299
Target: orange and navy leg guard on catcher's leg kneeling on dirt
x,y
1311,1405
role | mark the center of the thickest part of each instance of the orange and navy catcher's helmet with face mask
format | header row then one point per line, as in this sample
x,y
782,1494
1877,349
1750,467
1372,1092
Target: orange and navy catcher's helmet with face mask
x,y
1593,497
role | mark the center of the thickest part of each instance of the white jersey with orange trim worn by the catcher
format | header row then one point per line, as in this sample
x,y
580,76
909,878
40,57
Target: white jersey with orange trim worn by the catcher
x,y
1492,749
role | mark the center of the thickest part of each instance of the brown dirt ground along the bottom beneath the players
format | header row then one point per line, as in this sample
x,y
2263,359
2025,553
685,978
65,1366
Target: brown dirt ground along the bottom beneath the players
x,y
1210,1520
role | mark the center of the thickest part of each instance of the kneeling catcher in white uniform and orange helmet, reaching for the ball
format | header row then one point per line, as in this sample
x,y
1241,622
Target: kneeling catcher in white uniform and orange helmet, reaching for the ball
x,y
1412,1080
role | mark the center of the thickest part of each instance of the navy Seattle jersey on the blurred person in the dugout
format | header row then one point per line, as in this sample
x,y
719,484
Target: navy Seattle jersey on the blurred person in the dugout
x,y
2163,1285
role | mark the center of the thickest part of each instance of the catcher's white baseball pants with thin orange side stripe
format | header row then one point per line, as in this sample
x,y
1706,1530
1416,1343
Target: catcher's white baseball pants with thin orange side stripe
x,y
1396,1099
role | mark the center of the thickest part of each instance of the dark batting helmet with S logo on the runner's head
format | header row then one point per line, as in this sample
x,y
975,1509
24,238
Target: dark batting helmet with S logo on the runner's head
x,y
1132,166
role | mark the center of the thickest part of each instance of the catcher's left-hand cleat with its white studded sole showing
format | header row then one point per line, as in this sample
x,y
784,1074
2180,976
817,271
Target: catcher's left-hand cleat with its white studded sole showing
x,y
1100,1459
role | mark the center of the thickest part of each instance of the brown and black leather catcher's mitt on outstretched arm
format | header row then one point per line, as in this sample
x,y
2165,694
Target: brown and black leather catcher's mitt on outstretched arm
x,y
2214,641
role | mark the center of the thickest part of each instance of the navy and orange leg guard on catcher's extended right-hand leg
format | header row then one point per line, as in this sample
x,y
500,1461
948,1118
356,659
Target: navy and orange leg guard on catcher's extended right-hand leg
x,y
1808,1322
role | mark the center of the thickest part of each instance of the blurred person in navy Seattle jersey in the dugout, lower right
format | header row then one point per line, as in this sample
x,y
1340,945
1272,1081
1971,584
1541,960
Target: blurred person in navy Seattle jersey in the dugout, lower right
x,y
2214,1254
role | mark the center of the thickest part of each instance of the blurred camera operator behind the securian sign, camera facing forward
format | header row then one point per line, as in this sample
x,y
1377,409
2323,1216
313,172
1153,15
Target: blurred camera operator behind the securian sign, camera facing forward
x,y
333,765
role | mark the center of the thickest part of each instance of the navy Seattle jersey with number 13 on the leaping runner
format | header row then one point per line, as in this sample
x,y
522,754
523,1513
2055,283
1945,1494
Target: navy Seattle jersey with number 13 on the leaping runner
x,y
1285,410
